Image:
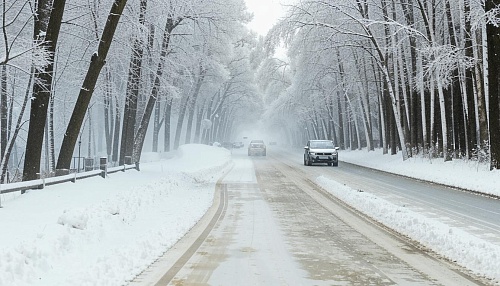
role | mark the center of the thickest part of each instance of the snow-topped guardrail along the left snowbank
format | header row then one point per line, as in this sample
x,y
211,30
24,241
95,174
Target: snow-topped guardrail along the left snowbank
x,y
41,183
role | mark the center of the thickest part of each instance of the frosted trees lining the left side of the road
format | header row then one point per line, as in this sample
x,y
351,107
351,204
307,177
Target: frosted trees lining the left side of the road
x,y
104,78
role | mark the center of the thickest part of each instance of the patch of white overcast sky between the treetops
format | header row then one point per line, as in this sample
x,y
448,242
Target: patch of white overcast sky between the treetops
x,y
266,13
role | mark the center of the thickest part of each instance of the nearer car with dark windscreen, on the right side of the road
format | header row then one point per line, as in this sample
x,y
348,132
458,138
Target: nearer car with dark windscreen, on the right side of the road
x,y
321,151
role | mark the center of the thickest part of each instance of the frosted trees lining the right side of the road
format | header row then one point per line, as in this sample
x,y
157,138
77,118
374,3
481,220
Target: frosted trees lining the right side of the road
x,y
416,76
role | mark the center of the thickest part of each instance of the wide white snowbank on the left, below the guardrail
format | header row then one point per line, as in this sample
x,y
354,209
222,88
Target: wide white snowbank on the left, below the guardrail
x,y
105,231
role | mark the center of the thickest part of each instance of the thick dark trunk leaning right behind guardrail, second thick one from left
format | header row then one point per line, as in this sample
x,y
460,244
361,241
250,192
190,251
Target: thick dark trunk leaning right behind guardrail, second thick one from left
x,y
97,62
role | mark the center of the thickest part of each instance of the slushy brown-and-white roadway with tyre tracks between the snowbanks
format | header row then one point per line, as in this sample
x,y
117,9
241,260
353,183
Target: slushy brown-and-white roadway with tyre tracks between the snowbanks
x,y
272,225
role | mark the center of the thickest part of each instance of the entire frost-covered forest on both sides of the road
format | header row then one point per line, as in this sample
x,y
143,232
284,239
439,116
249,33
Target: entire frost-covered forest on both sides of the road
x,y
93,78
